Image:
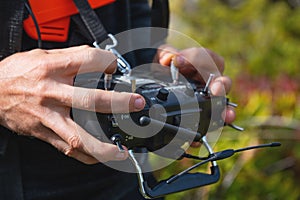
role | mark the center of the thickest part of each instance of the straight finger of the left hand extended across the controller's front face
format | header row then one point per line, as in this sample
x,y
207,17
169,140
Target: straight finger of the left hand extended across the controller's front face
x,y
100,100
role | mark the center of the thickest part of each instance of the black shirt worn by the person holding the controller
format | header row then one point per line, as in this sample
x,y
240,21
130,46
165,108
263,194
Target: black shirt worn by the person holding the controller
x,y
32,169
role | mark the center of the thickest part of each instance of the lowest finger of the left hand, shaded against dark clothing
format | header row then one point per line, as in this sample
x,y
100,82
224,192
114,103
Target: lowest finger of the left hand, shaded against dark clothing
x,y
50,137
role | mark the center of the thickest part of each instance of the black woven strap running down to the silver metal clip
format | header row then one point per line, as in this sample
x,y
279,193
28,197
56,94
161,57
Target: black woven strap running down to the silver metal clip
x,y
91,20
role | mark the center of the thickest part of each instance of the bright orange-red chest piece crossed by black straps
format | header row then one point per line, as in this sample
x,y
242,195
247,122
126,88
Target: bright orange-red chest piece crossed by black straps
x,y
53,18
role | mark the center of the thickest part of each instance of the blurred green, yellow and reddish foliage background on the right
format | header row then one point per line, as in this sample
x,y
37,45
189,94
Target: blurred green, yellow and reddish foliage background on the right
x,y
260,41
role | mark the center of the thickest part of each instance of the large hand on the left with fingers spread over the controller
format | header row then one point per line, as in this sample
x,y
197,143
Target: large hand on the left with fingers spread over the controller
x,y
37,94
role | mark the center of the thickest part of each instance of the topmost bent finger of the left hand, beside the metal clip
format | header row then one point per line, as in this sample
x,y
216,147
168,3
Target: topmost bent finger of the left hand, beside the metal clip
x,y
78,60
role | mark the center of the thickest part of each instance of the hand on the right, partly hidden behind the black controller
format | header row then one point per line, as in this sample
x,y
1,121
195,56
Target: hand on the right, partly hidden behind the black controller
x,y
197,64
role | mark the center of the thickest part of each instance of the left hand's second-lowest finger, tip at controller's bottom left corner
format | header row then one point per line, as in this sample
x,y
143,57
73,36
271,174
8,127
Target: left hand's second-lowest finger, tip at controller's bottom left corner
x,y
78,140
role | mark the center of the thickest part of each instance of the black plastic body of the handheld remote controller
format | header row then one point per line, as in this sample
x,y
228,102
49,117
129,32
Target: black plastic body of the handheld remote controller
x,y
173,114
